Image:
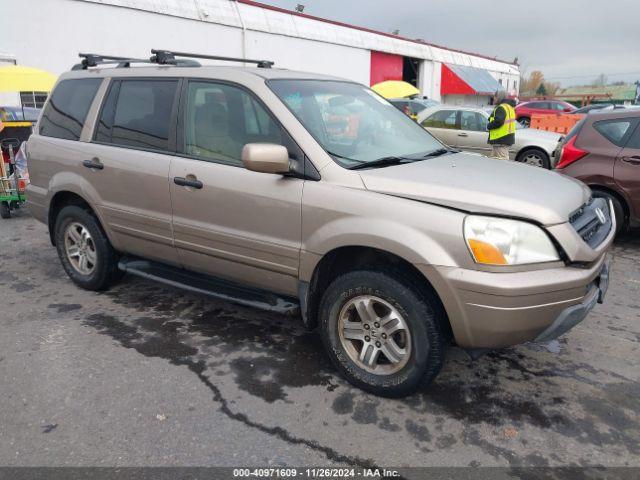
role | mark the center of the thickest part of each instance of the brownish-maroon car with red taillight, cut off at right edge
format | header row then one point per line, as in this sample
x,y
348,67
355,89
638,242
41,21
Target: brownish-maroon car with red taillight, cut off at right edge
x,y
603,151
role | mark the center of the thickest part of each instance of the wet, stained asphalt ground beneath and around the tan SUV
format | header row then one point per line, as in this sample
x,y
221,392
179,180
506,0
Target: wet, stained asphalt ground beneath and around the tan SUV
x,y
146,374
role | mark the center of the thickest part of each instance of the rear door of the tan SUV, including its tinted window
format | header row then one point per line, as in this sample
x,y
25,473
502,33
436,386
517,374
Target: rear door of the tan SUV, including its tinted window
x,y
128,165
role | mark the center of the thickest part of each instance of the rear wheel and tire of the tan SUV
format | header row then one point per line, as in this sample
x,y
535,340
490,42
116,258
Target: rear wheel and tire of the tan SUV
x,y
77,227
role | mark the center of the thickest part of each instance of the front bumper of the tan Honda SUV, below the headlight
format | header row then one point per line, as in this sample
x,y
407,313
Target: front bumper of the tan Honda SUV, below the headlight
x,y
492,310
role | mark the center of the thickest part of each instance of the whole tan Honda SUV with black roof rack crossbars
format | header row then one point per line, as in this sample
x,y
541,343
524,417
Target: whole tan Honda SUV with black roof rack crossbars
x,y
311,195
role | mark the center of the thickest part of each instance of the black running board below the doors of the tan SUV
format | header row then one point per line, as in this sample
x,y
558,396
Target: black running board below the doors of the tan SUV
x,y
214,287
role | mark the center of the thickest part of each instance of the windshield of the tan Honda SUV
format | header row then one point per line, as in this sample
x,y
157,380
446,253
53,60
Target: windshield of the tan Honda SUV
x,y
352,123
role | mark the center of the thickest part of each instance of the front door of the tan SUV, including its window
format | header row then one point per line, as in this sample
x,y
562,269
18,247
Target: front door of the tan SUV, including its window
x,y
228,221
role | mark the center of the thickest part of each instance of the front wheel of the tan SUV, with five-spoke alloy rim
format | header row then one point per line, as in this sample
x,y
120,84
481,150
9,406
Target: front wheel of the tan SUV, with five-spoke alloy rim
x,y
421,340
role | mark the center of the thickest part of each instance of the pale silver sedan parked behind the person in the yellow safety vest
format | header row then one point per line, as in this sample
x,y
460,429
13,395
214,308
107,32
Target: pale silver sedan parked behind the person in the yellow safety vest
x,y
466,128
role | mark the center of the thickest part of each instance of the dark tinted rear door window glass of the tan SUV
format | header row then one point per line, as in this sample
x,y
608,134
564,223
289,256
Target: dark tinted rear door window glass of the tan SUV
x,y
137,113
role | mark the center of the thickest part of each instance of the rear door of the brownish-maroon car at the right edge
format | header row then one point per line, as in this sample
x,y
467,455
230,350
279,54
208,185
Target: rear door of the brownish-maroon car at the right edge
x,y
627,171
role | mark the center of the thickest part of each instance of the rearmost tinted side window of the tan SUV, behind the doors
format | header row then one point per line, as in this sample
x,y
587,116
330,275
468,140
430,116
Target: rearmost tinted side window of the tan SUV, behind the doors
x,y
64,115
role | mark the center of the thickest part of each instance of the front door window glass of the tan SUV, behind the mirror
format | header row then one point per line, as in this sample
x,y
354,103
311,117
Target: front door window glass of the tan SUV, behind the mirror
x,y
221,119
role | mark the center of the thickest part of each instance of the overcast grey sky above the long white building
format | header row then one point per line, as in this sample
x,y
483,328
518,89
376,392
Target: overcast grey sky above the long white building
x,y
571,41
